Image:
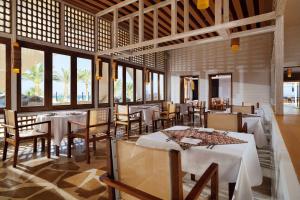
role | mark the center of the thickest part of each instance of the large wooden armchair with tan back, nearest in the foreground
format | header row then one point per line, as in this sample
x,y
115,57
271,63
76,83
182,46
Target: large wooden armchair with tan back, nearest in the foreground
x,y
152,174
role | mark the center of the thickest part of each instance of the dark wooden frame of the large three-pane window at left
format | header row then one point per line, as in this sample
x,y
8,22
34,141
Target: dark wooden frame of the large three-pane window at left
x,y
48,106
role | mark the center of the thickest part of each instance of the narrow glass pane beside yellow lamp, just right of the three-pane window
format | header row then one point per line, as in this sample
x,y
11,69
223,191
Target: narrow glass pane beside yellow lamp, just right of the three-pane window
x,y
104,84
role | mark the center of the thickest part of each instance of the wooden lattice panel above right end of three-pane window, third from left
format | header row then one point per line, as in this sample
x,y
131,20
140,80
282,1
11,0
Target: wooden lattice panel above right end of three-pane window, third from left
x,y
79,29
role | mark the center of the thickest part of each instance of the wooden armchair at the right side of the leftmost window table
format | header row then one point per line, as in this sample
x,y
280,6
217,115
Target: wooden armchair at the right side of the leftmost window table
x,y
96,127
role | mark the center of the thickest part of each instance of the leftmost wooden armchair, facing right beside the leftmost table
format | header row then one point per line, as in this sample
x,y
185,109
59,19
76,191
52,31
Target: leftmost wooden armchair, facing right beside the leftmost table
x,y
17,131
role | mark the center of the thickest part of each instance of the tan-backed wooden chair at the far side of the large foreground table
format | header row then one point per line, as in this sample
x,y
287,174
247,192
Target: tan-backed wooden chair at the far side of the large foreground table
x,y
225,121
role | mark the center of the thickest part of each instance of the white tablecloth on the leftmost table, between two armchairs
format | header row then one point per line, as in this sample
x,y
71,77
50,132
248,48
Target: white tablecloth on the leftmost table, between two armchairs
x,y
59,124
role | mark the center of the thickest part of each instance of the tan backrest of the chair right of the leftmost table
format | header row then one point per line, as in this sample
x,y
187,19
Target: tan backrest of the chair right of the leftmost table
x,y
98,116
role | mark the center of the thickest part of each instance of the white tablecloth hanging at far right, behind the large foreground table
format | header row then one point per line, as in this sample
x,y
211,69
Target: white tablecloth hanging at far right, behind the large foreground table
x,y
255,126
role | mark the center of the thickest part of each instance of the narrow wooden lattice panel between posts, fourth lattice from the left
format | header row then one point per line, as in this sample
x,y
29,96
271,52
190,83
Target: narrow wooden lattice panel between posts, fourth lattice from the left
x,y
104,34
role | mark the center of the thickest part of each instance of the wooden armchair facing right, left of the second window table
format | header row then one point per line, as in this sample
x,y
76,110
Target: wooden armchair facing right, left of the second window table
x,y
123,117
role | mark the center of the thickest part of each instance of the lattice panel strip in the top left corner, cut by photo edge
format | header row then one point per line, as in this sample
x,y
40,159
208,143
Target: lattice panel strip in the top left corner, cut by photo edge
x,y
5,16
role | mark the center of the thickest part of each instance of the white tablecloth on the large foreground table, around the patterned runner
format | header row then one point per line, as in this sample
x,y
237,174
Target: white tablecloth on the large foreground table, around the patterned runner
x,y
237,162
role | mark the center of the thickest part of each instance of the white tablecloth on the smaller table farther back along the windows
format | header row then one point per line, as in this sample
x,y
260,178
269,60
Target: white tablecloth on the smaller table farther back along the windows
x,y
147,112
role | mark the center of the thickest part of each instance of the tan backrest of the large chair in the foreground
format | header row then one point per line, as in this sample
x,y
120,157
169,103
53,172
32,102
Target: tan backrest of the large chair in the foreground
x,y
138,168
